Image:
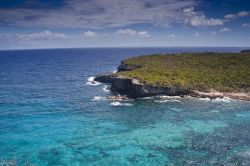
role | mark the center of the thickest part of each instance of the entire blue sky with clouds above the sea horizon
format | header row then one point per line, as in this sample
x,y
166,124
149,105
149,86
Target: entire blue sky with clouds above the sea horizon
x,y
31,24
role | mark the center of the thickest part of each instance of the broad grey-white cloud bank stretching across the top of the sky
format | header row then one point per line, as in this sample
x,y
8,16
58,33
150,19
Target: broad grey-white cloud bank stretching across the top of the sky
x,y
108,13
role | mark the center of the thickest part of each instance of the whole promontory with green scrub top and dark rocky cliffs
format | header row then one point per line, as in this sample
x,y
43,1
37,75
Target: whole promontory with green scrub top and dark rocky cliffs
x,y
207,74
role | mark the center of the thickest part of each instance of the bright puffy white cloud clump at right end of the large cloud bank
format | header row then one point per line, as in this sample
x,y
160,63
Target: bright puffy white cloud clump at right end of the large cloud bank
x,y
195,19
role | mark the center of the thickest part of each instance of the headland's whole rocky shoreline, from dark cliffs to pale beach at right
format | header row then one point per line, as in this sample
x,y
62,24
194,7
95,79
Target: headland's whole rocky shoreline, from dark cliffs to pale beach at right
x,y
133,88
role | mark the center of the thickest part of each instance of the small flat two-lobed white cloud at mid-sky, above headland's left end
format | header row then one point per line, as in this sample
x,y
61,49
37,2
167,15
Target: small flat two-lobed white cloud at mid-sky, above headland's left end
x,y
131,32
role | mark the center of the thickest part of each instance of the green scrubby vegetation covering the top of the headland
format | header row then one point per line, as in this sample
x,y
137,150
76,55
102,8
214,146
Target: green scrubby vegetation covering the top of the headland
x,y
228,72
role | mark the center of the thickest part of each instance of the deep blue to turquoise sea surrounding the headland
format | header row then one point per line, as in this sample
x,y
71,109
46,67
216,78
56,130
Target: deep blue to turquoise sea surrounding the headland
x,y
51,114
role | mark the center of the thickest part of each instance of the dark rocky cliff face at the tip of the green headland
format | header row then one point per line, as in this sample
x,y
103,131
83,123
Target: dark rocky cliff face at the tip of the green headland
x,y
133,88
